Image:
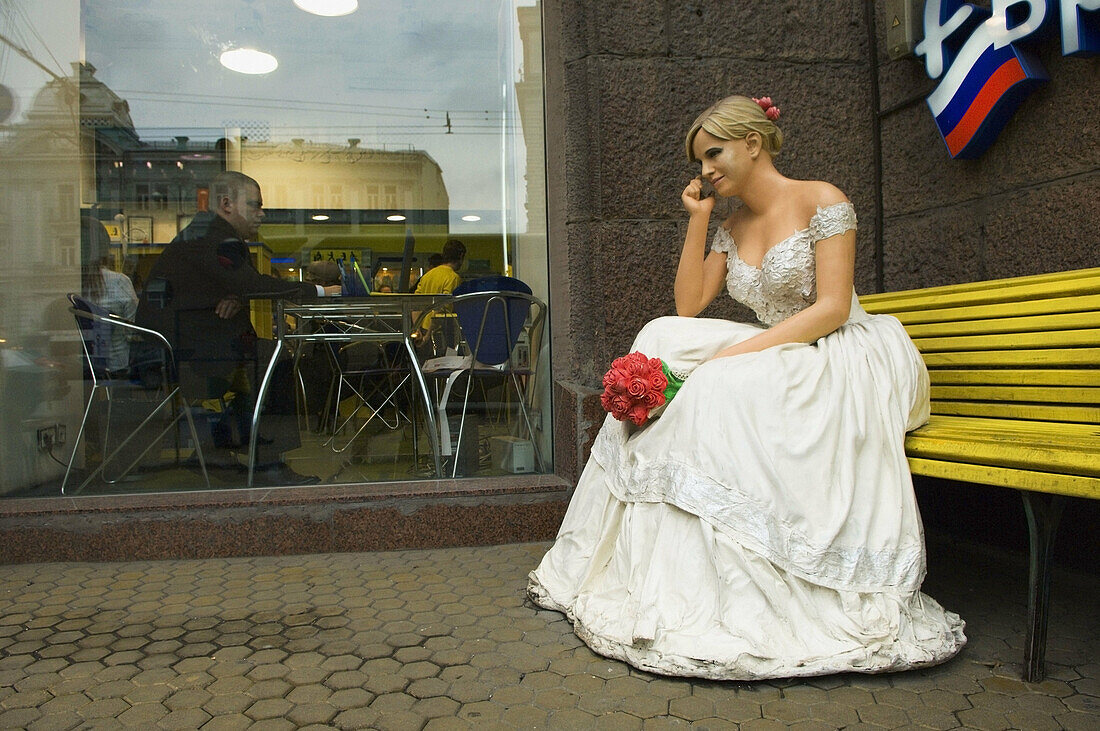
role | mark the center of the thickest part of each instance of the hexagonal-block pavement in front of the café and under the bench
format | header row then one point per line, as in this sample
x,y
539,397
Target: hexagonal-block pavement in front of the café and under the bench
x,y
443,639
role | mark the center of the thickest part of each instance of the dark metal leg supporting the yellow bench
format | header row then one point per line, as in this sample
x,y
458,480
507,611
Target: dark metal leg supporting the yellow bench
x,y
1043,514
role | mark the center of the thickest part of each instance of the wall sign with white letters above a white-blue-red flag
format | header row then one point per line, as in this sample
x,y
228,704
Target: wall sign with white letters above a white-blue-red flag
x,y
985,73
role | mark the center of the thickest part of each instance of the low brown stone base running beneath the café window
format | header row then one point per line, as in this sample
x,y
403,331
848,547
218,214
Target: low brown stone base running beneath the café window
x,y
277,522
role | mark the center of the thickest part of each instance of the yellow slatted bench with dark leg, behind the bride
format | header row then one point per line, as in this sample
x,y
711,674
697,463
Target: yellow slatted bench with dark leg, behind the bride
x,y
1016,400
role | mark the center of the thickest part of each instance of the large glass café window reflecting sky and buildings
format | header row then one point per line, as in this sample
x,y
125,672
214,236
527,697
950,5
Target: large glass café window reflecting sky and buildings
x,y
377,134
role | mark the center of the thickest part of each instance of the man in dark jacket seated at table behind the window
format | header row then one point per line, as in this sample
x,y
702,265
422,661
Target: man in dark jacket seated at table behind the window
x,y
197,296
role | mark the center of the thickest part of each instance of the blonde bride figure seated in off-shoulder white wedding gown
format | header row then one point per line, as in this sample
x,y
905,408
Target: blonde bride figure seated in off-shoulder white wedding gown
x,y
765,525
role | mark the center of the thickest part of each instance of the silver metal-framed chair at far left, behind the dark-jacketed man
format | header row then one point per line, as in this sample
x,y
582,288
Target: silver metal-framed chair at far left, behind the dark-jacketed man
x,y
96,327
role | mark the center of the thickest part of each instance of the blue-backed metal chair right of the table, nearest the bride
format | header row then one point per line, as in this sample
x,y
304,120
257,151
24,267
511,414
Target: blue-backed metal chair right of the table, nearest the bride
x,y
496,317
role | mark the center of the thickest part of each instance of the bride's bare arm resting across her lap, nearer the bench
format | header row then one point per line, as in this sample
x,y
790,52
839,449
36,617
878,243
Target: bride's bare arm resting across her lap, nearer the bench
x,y
837,264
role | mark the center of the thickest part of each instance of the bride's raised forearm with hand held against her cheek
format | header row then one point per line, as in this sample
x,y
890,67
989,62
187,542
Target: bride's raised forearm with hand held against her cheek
x,y
699,280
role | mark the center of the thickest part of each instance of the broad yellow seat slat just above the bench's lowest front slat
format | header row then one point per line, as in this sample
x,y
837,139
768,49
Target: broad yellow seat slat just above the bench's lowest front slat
x,y
999,455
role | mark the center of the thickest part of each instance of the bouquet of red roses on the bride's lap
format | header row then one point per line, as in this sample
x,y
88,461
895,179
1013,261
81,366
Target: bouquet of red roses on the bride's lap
x,y
636,385
